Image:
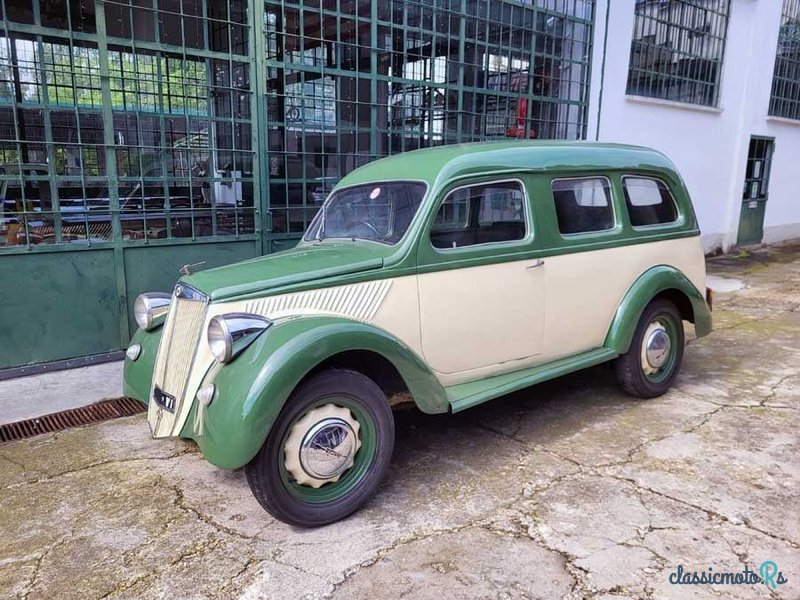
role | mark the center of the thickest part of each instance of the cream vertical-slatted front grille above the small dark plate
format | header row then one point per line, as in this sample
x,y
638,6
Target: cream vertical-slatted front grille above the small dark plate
x,y
182,331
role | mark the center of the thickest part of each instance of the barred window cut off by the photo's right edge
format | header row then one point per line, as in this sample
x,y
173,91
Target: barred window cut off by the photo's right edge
x,y
785,95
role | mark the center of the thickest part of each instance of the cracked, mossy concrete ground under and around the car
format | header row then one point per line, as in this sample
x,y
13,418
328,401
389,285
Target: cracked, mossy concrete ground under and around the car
x,y
567,490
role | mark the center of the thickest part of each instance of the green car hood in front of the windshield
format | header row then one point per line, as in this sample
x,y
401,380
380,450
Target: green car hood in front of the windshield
x,y
303,264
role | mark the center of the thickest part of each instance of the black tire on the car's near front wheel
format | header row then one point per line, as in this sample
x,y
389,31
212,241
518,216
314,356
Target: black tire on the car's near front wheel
x,y
277,491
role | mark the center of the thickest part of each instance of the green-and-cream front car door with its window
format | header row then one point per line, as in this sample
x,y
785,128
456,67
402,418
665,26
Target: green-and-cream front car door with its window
x,y
481,287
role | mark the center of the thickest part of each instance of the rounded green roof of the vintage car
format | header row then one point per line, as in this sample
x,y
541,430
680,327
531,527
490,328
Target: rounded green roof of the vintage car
x,y
459,160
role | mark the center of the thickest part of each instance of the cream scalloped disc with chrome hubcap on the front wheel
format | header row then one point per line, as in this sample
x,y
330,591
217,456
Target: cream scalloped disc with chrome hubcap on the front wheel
x,y
322,445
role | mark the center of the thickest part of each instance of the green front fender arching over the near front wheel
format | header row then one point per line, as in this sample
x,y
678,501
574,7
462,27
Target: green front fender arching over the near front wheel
x,y
252,389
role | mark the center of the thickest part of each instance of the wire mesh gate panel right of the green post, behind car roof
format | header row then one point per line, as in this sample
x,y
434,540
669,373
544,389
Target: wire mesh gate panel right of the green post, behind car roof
x,y
349,81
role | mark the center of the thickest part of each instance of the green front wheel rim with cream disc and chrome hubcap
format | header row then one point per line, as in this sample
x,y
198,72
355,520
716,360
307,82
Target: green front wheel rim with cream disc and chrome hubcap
x,y
308,468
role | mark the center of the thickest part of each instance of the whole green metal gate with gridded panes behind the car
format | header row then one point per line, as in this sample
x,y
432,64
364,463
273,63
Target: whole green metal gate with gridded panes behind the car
x,y
140,135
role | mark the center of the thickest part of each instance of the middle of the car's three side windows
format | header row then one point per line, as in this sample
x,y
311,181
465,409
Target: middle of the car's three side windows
x,y
583,204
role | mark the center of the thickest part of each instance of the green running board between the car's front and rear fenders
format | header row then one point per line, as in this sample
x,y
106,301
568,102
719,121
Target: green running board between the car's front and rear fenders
x,y
472,393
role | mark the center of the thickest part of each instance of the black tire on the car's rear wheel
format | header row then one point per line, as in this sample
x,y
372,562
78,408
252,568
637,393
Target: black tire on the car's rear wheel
x,y
630,368
